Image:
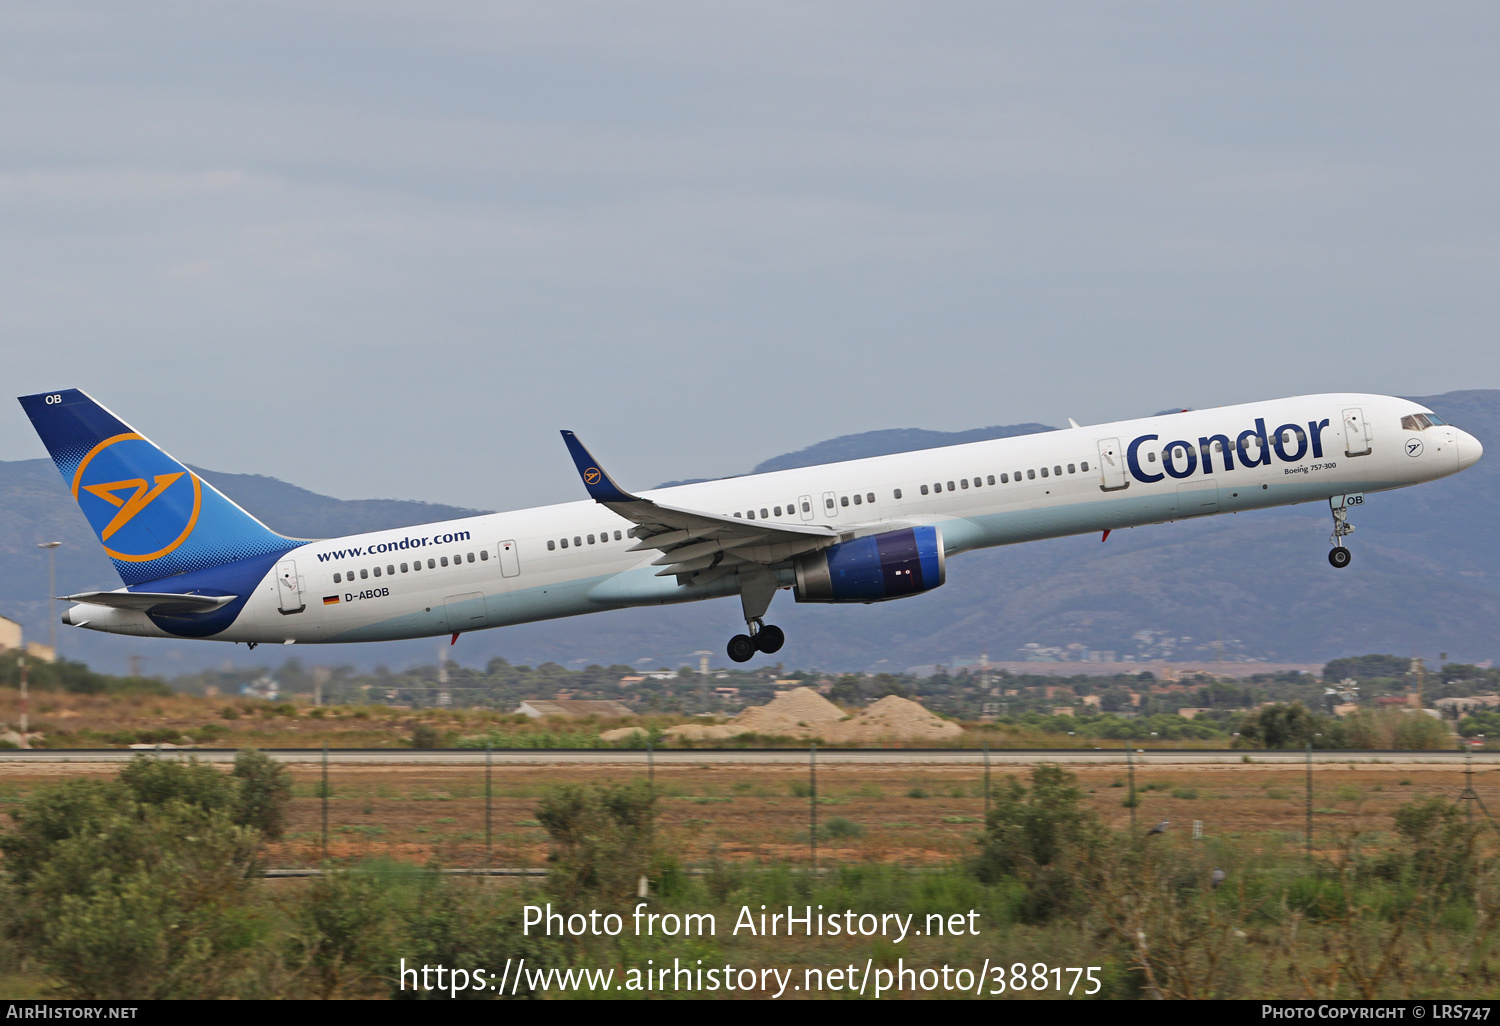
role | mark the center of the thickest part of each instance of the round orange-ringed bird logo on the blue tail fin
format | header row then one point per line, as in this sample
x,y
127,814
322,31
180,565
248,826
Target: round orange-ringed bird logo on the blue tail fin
x,y
140,502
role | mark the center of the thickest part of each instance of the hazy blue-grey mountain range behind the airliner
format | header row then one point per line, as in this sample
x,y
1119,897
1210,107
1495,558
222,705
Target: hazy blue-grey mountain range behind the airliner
x,y
1426,580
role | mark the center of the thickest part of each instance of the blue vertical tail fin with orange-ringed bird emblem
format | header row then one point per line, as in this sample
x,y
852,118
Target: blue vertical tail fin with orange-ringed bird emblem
x,y
154,517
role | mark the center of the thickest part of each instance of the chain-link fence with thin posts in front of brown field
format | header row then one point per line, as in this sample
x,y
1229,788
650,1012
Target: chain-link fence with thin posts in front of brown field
x,y
821,808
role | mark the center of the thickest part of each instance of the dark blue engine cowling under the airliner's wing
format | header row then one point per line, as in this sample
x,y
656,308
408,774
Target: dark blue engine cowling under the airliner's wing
x,y
875,568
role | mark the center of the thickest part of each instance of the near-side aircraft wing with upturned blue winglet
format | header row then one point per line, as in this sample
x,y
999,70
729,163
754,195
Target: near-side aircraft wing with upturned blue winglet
x,y
697,545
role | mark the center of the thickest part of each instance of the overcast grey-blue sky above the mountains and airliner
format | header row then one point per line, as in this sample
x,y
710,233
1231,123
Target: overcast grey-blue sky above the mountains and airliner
x,y
389,250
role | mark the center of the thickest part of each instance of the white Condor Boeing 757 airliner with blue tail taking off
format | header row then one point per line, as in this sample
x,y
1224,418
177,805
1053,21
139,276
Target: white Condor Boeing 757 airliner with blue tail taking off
x,y
868,530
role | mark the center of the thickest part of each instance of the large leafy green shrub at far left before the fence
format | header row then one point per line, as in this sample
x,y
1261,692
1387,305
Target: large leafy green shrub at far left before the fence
x,y
125,898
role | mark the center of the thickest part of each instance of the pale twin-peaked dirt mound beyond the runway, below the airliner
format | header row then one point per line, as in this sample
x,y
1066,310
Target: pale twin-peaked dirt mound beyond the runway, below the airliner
x,y
805,713
